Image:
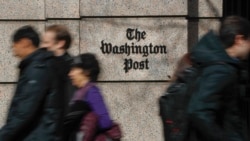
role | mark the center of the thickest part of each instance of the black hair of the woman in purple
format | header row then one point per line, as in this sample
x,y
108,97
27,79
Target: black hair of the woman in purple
x,y
87,62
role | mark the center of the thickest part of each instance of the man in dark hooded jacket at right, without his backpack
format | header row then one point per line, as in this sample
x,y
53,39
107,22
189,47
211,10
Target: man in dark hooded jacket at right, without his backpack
x,y
214,109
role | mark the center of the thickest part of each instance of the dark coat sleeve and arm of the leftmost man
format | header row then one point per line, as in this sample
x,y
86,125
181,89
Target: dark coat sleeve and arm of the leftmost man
x,y
31,98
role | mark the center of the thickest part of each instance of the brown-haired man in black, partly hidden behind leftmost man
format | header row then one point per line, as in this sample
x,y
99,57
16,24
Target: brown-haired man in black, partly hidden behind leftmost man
x,y
57,39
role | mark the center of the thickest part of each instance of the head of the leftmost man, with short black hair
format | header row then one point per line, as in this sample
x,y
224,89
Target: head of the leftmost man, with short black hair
x,y
25,40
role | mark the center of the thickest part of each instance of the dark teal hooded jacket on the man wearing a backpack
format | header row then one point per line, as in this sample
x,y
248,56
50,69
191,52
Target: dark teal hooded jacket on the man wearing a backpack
x,y
214,109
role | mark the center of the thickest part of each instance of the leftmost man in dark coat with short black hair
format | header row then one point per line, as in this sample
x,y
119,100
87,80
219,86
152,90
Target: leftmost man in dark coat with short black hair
x,y
35,110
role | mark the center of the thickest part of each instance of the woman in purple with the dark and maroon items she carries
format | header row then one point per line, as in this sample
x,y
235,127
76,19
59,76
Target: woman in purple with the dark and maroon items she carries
x,y
94,122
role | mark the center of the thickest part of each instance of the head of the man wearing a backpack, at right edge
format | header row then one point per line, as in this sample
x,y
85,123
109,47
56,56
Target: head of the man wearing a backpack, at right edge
x,y
234,33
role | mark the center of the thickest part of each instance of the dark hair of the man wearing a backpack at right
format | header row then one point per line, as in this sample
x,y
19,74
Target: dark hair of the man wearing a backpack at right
x,y
232,26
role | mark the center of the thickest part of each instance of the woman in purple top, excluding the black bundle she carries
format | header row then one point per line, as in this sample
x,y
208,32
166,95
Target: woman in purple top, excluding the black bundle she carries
x,y
83,74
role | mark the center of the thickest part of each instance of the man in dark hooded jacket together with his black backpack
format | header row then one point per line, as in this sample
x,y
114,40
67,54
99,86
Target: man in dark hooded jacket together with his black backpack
x,y
204,102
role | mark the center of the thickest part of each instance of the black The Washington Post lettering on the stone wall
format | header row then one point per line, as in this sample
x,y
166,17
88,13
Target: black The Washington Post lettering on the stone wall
x,y
134,48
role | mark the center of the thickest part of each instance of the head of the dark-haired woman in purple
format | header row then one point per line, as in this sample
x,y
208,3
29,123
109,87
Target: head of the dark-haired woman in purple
x,y
84,68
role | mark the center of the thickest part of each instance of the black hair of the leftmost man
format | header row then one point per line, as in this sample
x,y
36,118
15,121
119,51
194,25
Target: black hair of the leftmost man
x,y
26,32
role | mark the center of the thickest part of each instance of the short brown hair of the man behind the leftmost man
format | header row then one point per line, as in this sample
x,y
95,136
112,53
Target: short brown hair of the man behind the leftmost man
x,y
61,33
